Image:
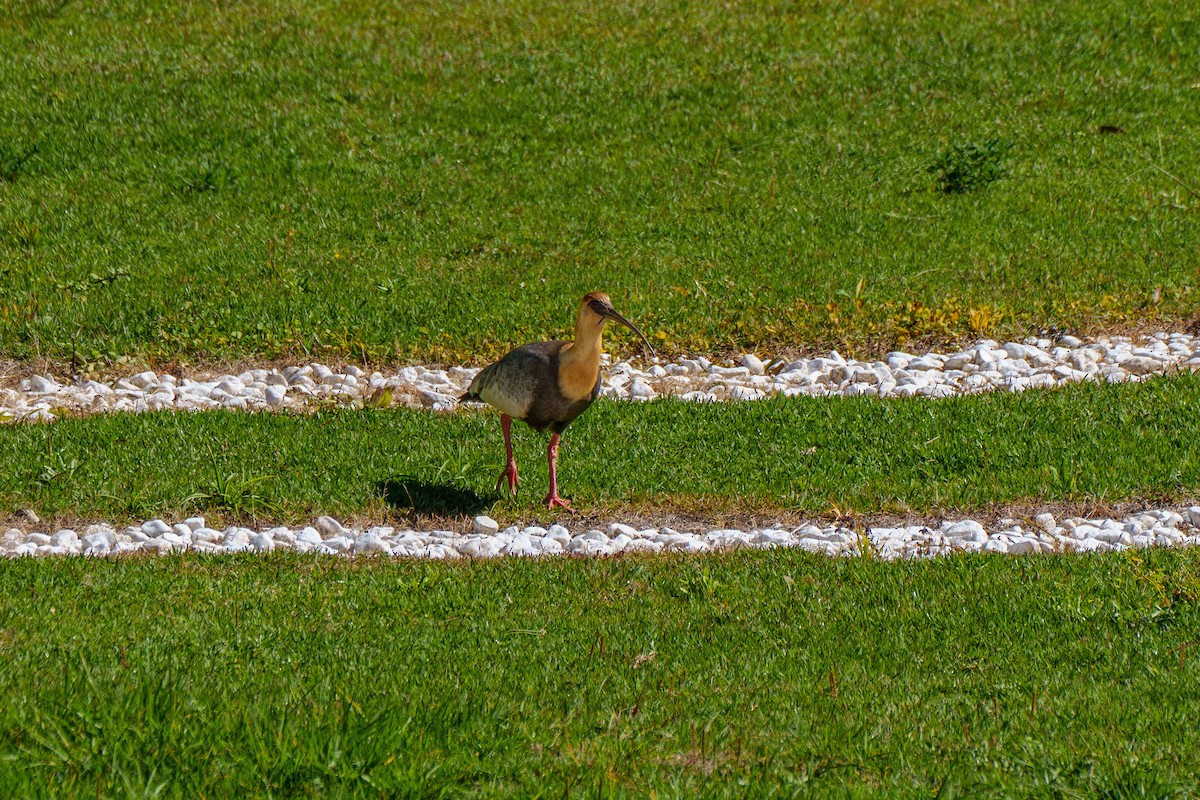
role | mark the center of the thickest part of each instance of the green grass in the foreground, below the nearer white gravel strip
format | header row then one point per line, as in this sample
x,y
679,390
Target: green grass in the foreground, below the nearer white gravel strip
x,y
761,675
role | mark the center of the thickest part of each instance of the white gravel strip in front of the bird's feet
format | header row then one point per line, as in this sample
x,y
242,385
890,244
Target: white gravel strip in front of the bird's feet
x,y
328,537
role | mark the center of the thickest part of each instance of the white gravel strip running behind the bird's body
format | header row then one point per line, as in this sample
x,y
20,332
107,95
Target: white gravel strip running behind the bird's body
x,y
985,366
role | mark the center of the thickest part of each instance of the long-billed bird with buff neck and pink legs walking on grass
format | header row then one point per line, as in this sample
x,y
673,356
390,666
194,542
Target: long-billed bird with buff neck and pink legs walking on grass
x,y
549,384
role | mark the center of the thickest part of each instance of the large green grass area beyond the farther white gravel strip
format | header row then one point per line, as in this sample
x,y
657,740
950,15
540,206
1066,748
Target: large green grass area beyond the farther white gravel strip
x,y
442,181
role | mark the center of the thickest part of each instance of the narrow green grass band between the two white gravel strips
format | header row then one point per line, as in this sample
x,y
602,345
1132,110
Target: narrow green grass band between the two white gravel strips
x,y
1082,443
